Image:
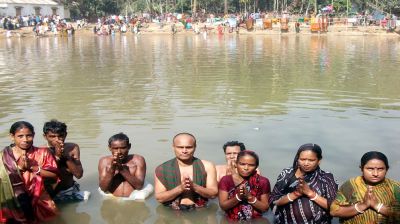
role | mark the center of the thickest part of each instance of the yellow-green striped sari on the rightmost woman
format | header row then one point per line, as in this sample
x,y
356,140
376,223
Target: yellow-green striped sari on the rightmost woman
x,y
353,191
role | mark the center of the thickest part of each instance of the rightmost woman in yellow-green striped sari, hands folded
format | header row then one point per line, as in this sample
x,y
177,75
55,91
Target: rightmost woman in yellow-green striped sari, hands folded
x,y
371,197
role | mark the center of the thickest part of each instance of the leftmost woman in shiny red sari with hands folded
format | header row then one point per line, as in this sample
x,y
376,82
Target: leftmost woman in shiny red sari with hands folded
x,y
23,168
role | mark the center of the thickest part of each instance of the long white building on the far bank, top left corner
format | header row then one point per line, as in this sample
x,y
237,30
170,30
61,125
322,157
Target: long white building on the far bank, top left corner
x,y
31,7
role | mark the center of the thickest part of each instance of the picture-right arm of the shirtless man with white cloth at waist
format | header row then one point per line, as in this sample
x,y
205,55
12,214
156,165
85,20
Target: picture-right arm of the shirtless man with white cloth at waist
x,y
134,171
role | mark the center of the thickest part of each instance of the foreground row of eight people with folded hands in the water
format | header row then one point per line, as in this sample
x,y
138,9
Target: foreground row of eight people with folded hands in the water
x,y
34,179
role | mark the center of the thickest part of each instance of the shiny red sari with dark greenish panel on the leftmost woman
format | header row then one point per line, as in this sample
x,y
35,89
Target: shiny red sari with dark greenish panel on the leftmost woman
x,y
23,197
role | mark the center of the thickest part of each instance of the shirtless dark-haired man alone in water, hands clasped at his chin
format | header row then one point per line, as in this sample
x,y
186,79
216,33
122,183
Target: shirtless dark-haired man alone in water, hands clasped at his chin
x,y
121,173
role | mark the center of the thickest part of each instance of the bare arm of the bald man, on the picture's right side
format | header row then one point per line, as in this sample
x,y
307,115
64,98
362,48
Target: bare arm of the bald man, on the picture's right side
x,y
211,189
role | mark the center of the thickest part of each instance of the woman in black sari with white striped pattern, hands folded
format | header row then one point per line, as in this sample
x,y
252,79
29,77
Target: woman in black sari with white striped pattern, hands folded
x,y
304,192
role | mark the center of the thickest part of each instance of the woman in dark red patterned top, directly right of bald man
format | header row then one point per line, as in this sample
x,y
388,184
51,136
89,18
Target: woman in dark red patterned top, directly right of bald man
x,y
244,194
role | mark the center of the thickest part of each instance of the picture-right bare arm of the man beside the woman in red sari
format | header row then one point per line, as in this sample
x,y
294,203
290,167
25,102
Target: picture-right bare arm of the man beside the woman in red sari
x,y
72,156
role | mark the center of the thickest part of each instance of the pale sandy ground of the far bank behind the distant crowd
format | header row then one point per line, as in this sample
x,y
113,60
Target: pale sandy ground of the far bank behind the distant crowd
x,y
155,29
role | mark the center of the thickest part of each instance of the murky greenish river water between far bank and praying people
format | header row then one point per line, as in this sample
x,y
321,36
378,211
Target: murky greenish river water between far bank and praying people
x,y
273,93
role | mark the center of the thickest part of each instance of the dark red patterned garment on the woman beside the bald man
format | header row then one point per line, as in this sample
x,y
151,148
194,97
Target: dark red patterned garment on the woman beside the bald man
x,y
256,185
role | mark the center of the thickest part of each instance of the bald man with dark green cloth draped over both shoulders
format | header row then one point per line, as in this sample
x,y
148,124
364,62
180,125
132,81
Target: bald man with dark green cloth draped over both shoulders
x,y
185,182
